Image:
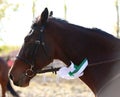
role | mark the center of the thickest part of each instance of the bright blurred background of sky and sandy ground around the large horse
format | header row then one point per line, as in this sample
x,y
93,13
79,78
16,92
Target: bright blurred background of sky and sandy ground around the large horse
x,y
15,21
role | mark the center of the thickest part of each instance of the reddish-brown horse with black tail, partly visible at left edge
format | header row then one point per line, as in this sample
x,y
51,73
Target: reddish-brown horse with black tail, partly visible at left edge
x,y
4,79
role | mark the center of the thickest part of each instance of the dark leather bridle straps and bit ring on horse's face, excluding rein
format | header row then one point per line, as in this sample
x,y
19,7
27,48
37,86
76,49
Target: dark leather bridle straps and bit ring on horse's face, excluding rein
x,y
39,42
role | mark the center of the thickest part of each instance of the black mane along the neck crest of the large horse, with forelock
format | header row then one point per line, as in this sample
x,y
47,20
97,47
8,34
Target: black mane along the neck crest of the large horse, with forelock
x,y
64,24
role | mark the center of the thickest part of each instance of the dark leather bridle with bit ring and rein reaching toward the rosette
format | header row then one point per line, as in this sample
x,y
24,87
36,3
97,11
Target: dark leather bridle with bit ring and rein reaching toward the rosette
x,y
38,42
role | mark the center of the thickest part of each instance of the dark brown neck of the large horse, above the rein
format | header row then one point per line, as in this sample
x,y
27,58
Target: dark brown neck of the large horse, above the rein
x,y
75,43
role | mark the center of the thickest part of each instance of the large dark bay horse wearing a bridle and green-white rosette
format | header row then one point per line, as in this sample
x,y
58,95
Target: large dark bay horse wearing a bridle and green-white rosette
x,y
51,38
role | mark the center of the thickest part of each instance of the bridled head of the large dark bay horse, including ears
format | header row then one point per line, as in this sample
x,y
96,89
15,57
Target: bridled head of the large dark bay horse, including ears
x,y
36,52
